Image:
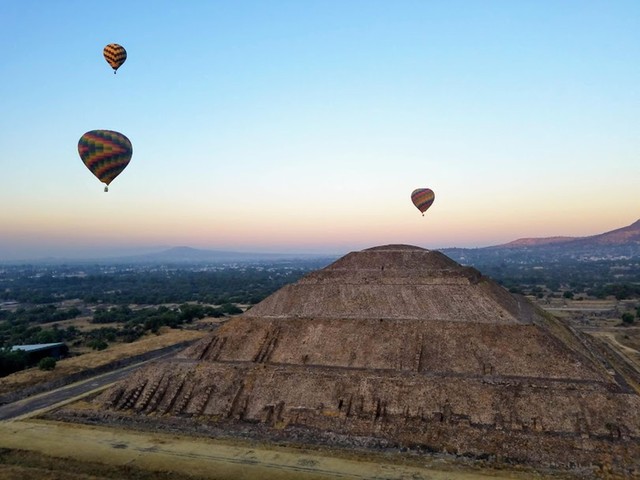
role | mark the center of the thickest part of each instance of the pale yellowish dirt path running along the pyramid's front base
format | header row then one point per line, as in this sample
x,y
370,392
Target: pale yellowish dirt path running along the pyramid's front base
x,y
213,459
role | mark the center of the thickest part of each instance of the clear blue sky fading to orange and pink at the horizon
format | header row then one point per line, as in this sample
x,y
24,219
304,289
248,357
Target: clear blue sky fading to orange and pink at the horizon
x,y
303,125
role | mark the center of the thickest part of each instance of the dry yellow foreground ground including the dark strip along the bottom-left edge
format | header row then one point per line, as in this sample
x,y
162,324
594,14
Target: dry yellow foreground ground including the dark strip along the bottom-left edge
x,y
56,451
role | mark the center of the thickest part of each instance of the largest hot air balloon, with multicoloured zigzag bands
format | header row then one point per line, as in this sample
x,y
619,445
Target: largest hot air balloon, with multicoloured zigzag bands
x,y
105,153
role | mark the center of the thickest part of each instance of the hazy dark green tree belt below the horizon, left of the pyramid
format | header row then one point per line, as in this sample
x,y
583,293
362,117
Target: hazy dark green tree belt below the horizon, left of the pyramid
x,y
125,286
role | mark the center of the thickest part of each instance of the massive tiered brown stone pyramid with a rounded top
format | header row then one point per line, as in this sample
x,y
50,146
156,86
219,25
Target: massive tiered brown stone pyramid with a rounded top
x,y
398,346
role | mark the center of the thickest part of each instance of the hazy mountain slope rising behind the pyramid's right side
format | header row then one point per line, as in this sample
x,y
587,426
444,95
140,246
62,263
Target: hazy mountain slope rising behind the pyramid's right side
x,y
616,244
